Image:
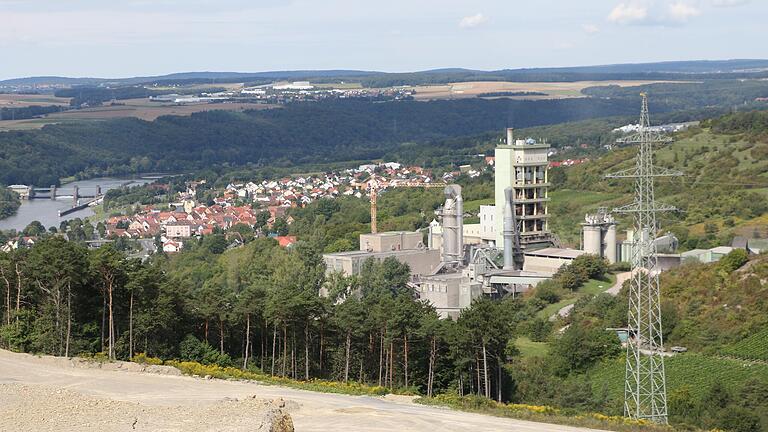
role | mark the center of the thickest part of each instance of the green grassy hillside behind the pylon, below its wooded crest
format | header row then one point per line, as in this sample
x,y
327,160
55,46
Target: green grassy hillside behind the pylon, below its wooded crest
x,y
707,159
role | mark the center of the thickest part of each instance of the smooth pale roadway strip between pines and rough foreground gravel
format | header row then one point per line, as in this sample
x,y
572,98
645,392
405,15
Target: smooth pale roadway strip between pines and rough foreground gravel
x,y
310,411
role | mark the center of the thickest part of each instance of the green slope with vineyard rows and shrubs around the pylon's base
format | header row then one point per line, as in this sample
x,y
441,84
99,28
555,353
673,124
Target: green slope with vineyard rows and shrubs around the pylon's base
x,y
721,318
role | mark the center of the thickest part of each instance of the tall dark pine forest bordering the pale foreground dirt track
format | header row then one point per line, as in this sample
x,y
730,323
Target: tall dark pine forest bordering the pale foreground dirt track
x,y
257,307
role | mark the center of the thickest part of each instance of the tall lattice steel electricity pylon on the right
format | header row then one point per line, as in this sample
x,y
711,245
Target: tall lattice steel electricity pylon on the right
x,y
645,388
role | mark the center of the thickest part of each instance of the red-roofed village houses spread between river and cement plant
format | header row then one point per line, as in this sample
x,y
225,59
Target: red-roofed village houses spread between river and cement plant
x,y
261,207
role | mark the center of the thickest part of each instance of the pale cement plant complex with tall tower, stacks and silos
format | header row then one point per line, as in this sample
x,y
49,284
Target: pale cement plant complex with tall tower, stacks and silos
x,y
507,253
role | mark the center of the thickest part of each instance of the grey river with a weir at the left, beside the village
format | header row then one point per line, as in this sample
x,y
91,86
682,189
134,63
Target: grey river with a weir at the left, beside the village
x,y
46,211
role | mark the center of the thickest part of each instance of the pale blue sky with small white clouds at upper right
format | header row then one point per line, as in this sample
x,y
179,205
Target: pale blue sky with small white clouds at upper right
x,y
110,39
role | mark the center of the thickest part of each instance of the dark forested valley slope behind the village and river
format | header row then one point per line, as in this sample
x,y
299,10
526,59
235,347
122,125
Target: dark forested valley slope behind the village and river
x,y
291,136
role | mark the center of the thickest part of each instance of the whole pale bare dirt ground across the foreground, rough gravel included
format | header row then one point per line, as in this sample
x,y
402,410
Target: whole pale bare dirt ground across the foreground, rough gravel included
x,y
75,397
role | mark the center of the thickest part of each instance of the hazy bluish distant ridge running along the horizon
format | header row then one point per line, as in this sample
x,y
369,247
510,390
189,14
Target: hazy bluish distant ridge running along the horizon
x,y
659,70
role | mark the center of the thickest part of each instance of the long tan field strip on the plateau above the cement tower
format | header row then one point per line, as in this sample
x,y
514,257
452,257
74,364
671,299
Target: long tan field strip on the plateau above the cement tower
x,y
552,90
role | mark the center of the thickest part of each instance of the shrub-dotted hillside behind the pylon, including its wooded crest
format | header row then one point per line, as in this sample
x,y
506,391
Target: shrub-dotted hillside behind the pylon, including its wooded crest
x,y
722,193
